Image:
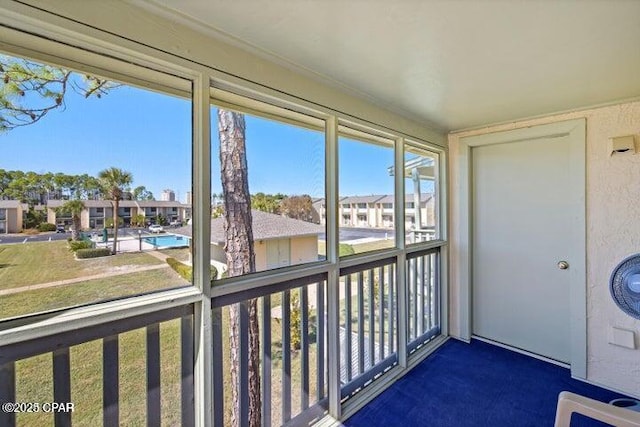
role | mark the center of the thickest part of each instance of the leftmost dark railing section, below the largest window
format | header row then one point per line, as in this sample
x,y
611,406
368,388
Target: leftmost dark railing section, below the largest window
x,y
106,366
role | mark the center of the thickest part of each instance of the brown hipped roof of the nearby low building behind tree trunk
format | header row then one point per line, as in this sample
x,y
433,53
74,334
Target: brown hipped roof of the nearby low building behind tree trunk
x,y
266,226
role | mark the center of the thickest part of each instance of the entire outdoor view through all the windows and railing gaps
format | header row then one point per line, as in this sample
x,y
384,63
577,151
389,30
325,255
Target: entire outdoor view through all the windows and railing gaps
x,y
96,205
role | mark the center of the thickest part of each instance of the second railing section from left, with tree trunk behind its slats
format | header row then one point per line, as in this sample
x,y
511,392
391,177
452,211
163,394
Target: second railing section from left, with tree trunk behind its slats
x,y
293,352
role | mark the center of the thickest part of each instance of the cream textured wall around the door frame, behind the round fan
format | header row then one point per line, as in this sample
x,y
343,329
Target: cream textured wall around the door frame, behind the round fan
x,y
613,232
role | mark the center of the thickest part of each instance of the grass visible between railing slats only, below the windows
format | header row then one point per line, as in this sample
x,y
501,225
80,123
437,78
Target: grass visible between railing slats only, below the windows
x,y
34,381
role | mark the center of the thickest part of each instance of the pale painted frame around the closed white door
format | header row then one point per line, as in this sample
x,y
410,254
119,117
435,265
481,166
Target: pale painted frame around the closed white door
x,y
575,130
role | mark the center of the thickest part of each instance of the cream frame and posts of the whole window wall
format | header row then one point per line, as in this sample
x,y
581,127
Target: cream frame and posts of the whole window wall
x,y
113,58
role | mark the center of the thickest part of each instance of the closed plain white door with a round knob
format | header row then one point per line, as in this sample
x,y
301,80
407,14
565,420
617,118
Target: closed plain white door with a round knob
x,y
525,204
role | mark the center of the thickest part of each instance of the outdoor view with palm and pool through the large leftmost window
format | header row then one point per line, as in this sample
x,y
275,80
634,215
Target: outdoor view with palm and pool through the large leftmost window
x,y
94,176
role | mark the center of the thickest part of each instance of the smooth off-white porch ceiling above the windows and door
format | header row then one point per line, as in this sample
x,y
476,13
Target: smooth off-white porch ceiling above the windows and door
x,y
455,64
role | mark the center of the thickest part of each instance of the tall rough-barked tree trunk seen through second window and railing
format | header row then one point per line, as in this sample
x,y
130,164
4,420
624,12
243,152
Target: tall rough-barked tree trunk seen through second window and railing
x,y
240,255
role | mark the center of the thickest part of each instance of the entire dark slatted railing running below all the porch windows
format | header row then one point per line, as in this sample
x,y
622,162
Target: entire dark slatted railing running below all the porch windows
x,y
294,348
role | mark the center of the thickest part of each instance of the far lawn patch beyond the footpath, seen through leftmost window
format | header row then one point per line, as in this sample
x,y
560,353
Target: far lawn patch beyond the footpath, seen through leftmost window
x,y
42,262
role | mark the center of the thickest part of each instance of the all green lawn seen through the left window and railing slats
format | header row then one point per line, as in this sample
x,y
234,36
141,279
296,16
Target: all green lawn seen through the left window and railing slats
x,y
34,381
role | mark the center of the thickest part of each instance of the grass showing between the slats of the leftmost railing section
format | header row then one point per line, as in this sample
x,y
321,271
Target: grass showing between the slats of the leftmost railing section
x,y
34,381
